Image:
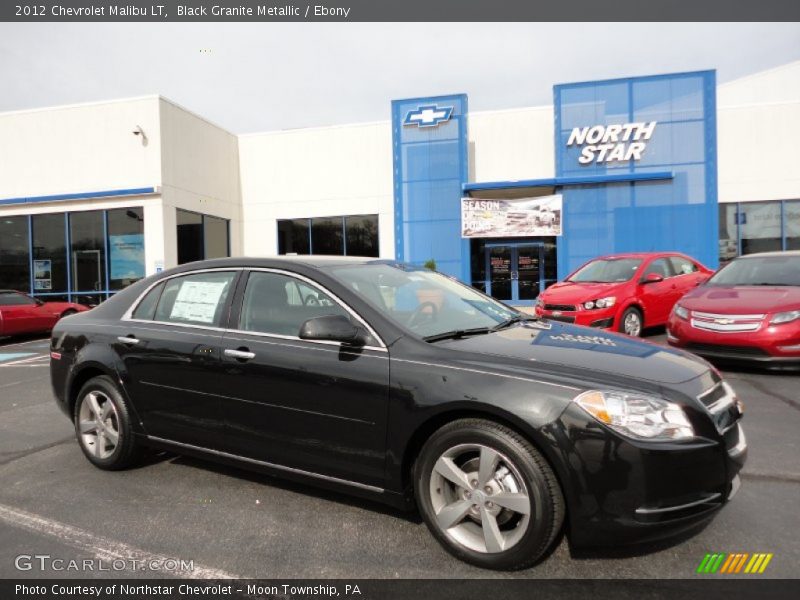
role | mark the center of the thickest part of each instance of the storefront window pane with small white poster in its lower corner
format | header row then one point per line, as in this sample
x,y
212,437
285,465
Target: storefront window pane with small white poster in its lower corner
x,y
49,254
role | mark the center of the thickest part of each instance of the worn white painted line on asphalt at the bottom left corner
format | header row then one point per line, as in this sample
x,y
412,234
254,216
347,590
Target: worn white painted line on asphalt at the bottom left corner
x,y
100,547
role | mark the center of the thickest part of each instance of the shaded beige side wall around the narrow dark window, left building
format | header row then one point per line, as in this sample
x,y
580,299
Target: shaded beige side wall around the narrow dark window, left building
x,y
199,172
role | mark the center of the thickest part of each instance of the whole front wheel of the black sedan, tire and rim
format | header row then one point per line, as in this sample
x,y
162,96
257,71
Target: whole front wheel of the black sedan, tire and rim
x,y
484,531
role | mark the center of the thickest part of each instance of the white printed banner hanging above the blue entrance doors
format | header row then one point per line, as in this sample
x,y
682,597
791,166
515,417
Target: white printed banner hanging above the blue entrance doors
x,y
539,216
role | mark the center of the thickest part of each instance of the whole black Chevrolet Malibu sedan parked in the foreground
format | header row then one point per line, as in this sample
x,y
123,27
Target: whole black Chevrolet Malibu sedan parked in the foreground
x,y
406,386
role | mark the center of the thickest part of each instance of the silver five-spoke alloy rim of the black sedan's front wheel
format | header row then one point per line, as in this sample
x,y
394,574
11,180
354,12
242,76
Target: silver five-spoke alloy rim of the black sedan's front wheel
x,y
479,498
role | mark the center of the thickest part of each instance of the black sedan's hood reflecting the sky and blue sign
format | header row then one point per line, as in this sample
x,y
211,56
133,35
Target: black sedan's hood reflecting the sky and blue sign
x,y
583,350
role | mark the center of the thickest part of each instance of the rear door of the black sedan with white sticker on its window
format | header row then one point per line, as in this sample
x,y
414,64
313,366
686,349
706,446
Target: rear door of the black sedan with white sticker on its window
x,y
171,350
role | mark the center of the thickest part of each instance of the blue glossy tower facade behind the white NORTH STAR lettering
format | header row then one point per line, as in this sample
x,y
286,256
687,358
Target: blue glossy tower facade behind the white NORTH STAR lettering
x,y
669,214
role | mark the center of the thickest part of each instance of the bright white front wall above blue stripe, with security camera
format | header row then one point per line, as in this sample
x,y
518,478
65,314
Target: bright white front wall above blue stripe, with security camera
x,y
80,148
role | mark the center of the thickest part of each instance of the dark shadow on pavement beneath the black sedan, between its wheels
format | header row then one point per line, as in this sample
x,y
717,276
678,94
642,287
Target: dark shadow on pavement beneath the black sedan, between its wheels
x,y
411,516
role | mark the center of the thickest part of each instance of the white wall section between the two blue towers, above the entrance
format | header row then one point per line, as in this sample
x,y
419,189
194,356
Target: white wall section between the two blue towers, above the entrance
x,y
512,144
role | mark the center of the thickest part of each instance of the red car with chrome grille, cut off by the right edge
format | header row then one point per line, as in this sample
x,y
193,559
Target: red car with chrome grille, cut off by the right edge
x,y
748,311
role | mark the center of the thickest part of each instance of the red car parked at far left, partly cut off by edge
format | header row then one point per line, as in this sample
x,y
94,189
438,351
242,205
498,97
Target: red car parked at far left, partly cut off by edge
x,y
19,313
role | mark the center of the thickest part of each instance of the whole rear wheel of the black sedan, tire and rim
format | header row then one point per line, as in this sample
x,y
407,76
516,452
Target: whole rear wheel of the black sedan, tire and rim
x,y
97,442
